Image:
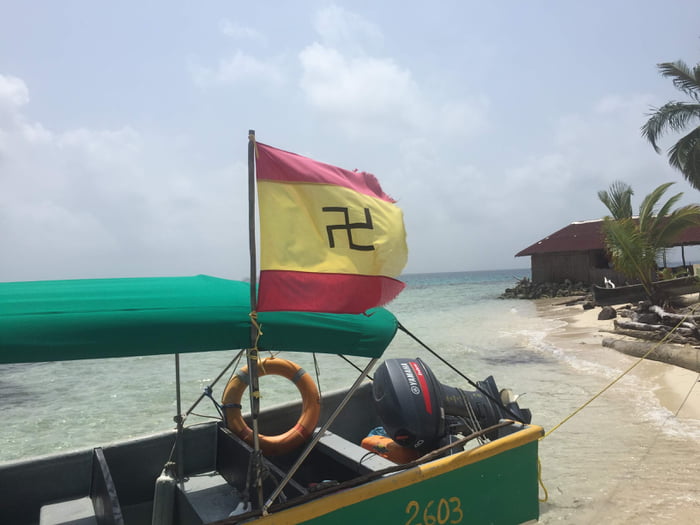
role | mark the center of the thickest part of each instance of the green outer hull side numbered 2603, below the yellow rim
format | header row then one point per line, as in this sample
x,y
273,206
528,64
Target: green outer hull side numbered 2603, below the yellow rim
x,y
496,483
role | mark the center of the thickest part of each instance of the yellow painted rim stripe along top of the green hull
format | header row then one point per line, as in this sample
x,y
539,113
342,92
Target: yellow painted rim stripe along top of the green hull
x,y
400,480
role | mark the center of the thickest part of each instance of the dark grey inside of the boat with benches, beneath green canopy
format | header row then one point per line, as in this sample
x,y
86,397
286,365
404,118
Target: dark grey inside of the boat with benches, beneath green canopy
x,y
116,483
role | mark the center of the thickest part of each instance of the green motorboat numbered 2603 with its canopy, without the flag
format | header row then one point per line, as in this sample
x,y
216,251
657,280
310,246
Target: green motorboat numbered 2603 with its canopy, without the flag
x,y
469,456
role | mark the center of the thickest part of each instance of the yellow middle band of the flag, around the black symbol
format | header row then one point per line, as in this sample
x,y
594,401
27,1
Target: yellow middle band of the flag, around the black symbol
x,y
294,237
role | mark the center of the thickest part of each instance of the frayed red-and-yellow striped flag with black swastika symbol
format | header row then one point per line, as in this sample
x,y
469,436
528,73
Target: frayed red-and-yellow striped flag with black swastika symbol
x,y
330,239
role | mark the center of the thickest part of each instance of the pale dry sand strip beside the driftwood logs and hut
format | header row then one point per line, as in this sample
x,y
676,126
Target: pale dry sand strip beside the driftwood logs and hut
x,y
677,389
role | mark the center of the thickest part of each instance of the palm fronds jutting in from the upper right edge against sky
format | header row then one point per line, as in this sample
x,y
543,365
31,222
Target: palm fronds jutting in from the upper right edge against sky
x,y
684,155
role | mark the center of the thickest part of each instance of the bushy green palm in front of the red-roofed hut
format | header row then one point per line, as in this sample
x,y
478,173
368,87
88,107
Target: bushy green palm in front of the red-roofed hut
x,y
634,243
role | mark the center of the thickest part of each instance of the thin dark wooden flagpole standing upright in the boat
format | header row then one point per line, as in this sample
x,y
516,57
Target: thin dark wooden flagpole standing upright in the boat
x,y
252,354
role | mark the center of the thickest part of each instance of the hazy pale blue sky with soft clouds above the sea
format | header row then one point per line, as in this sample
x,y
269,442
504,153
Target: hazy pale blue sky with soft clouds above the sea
x,y
123,125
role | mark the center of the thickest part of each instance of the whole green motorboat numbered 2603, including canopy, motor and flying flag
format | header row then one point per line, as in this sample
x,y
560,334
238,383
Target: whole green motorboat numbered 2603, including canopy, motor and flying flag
x,y
397,446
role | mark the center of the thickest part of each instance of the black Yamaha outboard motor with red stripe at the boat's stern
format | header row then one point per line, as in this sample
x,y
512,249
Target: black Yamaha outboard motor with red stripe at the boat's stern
x,y
418,411
